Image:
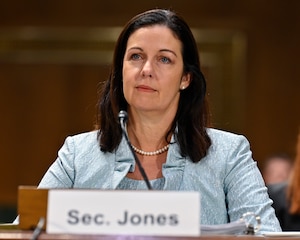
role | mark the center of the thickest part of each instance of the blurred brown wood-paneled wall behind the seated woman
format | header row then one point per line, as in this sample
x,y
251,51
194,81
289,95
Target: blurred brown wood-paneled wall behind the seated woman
x,y
54,53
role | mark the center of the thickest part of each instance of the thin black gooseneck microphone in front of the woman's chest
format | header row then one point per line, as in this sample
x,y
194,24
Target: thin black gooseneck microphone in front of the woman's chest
x,y
123,117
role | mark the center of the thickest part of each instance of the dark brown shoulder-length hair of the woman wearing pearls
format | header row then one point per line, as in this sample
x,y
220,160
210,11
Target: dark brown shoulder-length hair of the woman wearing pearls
x,y
192,115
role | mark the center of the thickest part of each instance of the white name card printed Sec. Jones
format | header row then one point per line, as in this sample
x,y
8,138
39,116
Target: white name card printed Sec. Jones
x,y
157,213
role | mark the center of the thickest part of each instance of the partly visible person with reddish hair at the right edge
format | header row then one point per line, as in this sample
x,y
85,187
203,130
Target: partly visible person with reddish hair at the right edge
x,y
286,197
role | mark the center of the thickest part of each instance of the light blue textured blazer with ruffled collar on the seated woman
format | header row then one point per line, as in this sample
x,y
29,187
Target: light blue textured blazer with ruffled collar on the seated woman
x,y
228,178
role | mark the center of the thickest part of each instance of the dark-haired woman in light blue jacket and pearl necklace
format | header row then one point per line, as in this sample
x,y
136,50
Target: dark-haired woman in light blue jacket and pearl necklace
x,y
156,78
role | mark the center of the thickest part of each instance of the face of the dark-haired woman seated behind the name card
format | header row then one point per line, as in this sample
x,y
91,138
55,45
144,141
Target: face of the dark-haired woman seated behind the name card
x,y
153,70
